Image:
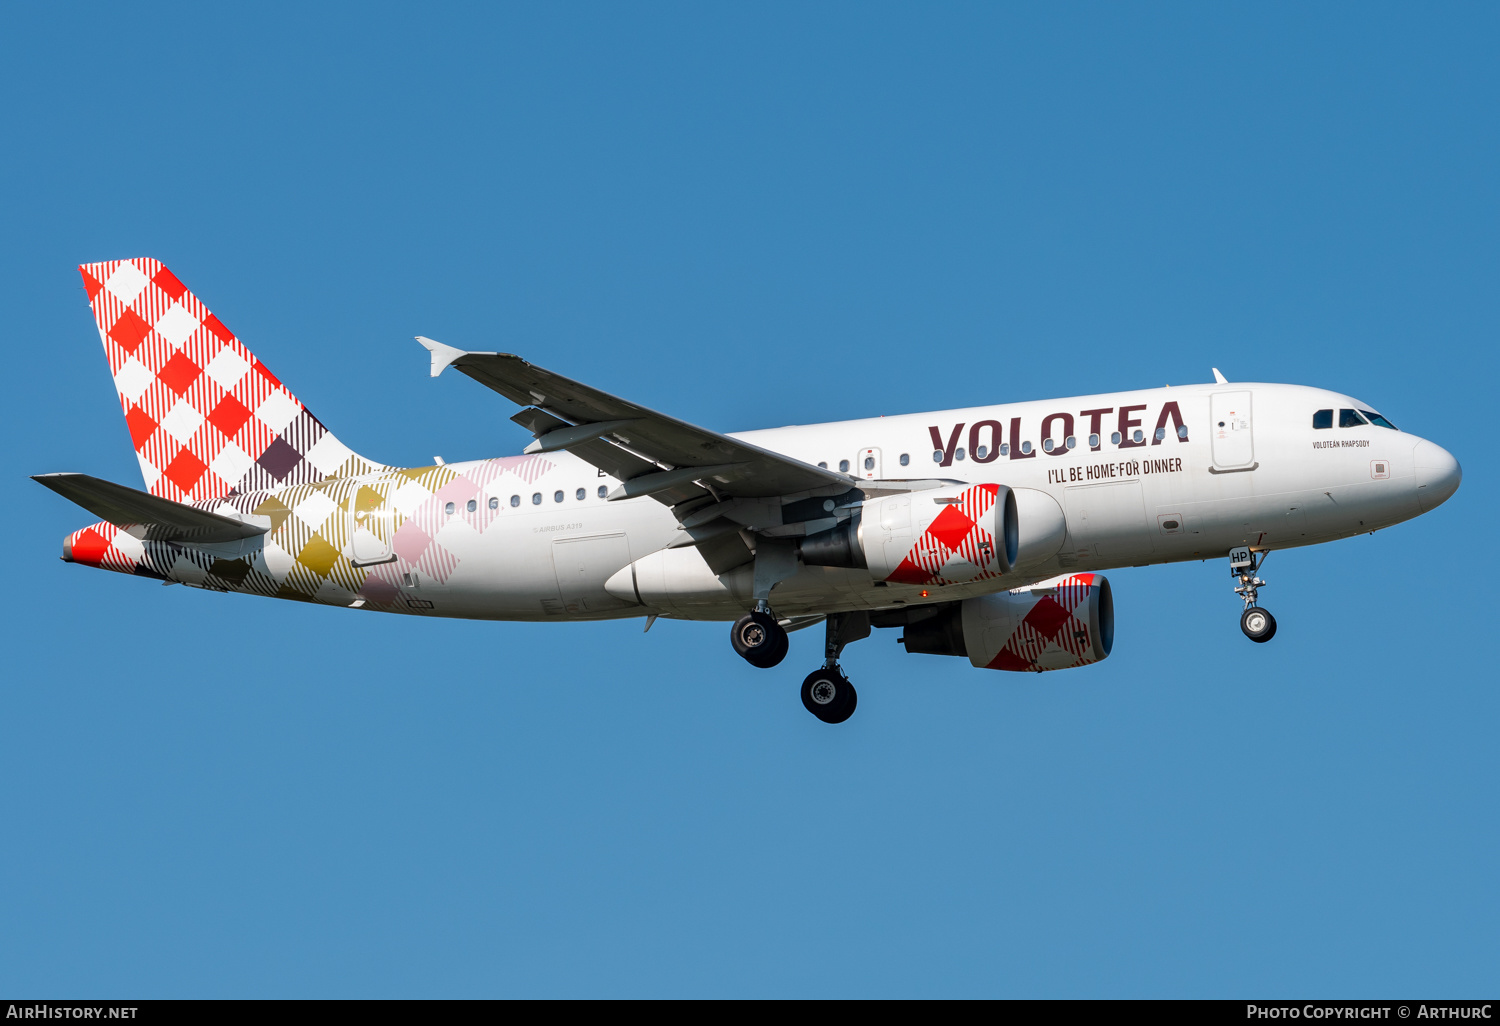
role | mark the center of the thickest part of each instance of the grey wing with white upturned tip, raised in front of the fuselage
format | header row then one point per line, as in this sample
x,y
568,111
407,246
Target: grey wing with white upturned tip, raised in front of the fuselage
x,y
650,452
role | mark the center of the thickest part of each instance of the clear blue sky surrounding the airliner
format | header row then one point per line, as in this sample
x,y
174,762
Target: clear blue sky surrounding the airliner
x,y
752,217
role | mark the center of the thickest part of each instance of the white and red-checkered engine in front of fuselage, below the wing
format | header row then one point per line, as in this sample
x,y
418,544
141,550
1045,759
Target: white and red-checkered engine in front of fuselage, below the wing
x,y
944,535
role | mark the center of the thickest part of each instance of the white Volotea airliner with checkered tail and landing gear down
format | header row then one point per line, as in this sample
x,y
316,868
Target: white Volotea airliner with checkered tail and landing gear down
x,y
976,533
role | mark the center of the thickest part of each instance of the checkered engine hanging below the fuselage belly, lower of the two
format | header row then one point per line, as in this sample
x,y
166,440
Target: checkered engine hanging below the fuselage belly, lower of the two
x,y
1057,625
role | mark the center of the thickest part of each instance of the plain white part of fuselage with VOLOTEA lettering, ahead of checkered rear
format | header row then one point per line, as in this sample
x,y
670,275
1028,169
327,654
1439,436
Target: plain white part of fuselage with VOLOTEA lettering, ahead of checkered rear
x,y
1250,470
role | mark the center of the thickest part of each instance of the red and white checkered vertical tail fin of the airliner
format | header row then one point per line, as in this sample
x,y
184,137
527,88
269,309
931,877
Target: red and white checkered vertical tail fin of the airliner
x,y
206,418
